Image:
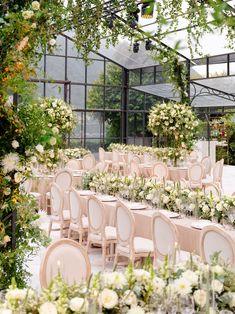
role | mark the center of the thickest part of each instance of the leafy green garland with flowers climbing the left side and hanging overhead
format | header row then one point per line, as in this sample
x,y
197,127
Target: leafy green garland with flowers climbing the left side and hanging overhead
x,y
27,27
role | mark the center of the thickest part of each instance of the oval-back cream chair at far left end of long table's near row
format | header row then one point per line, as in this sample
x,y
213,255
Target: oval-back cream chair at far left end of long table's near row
x,y
58,214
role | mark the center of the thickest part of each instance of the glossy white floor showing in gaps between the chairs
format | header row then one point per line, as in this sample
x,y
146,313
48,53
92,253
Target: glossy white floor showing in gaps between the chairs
x,y
95,254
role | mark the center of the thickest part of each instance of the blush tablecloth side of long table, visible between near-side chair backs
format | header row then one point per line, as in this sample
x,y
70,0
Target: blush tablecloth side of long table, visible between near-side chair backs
x,y
189,237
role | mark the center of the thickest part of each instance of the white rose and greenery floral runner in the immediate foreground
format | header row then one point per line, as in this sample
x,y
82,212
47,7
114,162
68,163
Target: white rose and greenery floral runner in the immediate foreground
x,y
190,287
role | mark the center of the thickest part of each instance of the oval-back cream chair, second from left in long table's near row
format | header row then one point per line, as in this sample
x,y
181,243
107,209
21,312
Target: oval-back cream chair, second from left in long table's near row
x,y
78,222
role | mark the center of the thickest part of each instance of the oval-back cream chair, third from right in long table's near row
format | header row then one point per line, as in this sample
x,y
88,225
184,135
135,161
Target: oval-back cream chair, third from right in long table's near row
x,y
127,243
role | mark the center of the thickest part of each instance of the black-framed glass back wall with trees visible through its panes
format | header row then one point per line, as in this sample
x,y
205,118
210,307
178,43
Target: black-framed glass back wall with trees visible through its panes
x,y
106,109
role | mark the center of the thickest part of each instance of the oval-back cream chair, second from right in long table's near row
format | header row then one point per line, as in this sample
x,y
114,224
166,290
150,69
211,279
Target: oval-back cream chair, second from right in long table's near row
x,y
165,239
